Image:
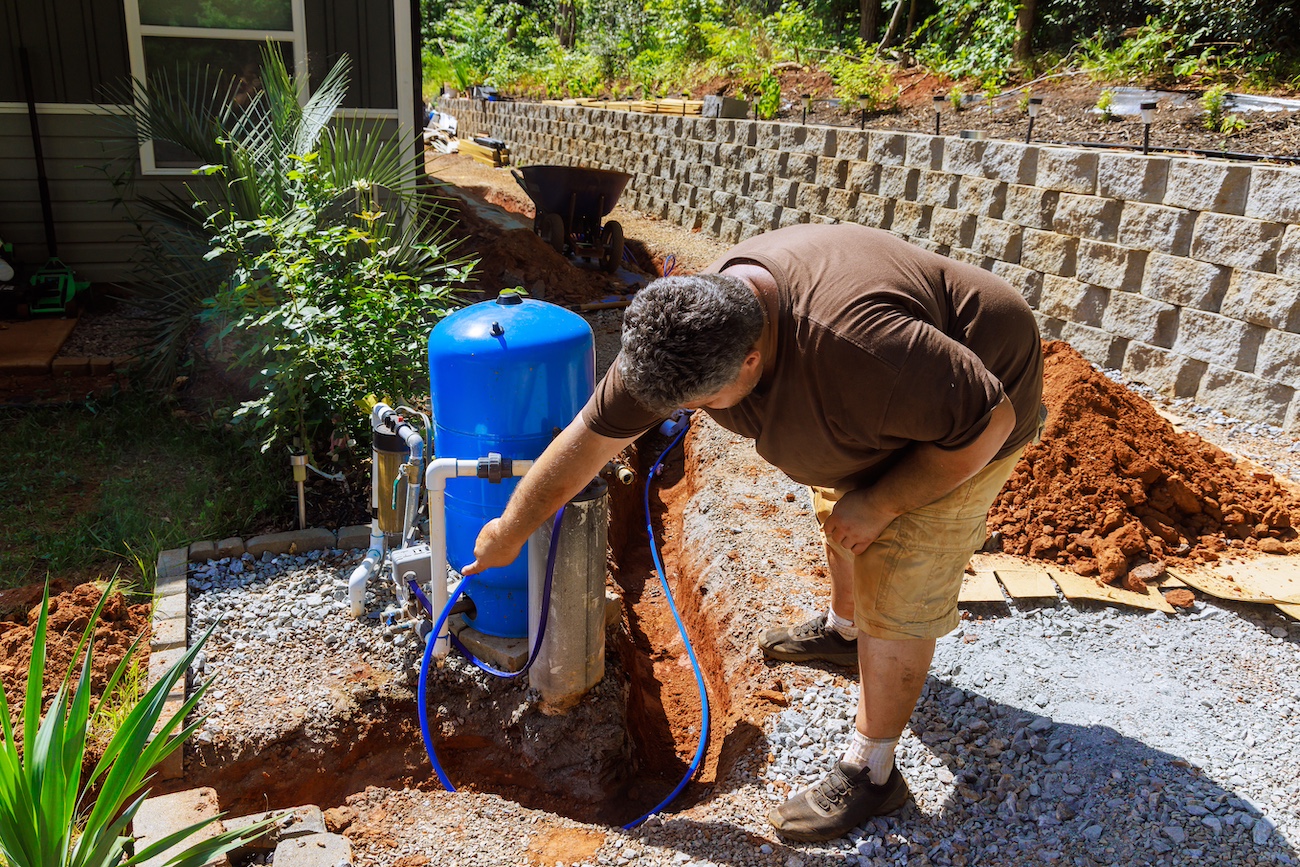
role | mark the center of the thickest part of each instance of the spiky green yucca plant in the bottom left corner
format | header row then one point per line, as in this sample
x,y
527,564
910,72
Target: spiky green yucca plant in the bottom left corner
x,y
49,816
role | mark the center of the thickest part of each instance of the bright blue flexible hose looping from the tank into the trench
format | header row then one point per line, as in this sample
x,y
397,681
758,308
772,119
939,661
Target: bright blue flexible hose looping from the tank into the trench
x,y
664,580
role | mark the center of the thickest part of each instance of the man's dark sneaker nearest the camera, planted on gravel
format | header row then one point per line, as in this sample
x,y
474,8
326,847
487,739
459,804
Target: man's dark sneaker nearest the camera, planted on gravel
x,y
837,805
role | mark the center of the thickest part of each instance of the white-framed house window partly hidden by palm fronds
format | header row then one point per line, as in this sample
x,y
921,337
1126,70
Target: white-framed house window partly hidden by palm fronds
x,y
226,36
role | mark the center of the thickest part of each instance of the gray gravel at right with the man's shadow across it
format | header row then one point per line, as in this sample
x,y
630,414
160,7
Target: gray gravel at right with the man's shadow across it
x,y
1082,736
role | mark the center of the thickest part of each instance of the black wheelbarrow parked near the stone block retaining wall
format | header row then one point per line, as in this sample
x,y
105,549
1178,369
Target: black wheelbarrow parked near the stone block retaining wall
x,y
571,202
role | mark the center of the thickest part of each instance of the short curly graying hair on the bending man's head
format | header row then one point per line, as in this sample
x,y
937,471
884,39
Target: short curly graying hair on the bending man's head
x,y
684,339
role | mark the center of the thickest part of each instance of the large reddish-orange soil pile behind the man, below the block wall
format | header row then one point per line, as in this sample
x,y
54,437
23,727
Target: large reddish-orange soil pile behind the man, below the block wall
x,y
1115,492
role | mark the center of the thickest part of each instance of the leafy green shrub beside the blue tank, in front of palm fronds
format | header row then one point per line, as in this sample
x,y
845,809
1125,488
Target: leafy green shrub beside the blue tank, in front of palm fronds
x,y
331,311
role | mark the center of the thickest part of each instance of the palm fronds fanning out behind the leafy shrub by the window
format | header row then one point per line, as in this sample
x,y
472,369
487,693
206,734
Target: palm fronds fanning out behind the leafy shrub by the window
x,y
250,150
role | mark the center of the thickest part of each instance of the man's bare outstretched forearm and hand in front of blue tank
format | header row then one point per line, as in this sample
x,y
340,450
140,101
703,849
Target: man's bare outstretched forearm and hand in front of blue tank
x,y
564,470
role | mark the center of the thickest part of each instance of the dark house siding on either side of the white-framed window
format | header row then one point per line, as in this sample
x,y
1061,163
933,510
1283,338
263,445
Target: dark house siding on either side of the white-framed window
x,y
79,50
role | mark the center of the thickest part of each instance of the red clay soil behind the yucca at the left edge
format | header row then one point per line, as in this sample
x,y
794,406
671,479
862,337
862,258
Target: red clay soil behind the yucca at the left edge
x,y
119,626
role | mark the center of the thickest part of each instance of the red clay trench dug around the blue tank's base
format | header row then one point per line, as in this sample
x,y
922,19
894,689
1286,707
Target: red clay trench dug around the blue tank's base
x,y
610,760
